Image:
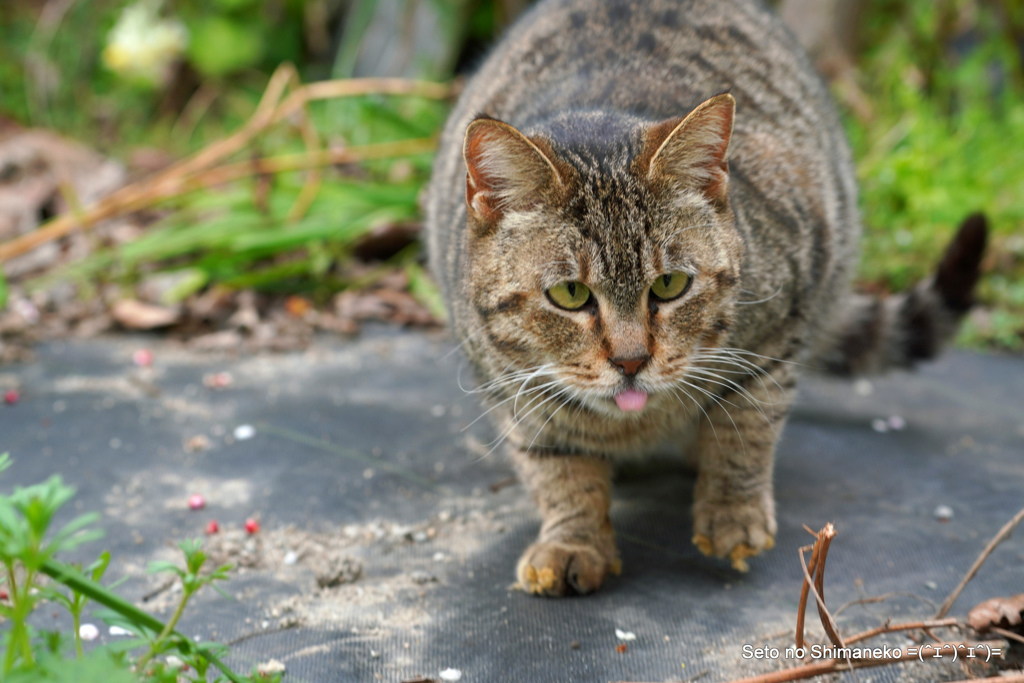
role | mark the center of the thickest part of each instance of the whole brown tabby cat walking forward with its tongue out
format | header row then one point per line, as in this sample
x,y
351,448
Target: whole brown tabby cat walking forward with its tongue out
x,y
645,221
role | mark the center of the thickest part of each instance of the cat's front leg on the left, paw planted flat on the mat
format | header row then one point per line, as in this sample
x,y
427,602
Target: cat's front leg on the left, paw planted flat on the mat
x,y
576,549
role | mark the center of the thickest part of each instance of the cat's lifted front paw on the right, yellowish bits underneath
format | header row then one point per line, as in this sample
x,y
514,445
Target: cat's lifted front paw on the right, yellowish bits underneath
x,y
737,530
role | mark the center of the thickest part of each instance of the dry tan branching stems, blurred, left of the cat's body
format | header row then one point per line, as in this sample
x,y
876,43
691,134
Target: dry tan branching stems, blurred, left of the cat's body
x,y
196,173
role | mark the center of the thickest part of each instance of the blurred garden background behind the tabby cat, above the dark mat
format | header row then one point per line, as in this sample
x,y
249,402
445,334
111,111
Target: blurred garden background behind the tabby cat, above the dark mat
x,y
302,214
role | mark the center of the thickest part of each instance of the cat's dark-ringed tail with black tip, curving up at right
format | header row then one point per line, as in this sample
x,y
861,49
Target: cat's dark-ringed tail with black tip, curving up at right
x,y
874,335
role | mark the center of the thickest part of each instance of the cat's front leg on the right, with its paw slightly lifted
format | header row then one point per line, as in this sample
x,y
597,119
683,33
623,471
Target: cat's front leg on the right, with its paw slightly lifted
x,y
734,500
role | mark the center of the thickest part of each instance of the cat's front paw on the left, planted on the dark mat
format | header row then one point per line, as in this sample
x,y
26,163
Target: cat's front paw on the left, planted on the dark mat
x,y
556,569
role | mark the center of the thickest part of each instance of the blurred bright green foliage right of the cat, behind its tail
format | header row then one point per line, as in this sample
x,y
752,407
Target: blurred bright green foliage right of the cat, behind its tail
x,y
947,82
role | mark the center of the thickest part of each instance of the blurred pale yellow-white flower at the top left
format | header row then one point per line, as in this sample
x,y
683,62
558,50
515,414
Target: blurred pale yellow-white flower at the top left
x,y
143,46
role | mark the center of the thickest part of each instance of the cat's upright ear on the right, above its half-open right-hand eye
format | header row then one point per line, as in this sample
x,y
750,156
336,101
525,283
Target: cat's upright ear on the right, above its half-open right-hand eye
x,y
694,151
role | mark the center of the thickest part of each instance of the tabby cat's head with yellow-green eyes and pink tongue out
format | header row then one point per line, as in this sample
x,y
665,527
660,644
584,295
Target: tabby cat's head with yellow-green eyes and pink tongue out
x,y
603,251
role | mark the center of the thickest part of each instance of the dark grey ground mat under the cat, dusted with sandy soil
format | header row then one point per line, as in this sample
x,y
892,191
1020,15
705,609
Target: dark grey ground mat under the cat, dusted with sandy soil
x,y
363,474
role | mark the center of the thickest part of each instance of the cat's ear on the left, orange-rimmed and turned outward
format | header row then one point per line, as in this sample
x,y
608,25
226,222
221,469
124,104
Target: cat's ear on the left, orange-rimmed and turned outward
x,y
505,170
